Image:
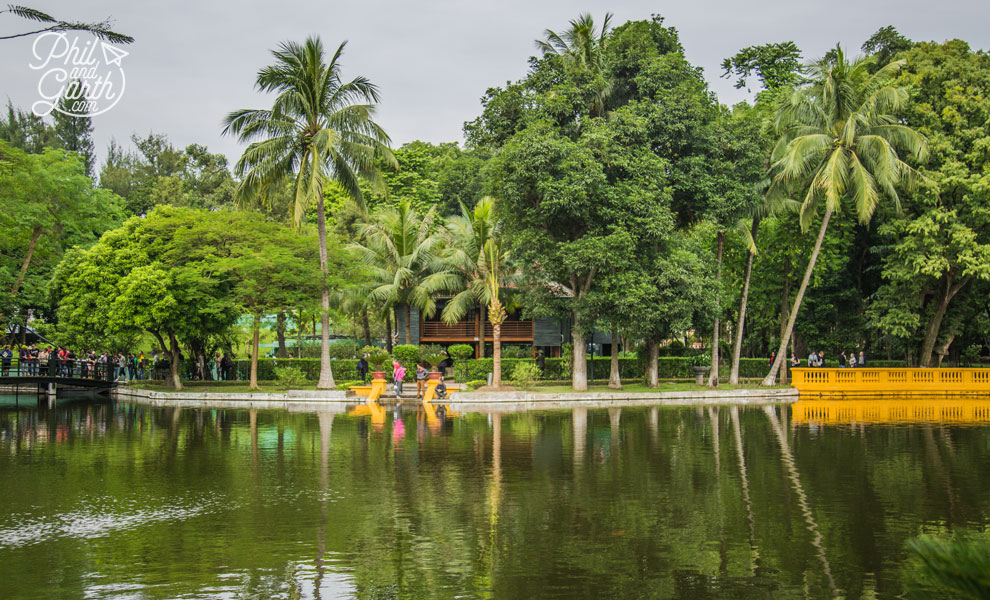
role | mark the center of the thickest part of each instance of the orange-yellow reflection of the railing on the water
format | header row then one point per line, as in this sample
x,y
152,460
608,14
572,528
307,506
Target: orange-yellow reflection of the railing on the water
x,y
948,411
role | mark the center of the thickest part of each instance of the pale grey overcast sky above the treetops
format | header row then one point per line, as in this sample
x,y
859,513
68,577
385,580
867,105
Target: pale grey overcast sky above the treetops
x,y
433,60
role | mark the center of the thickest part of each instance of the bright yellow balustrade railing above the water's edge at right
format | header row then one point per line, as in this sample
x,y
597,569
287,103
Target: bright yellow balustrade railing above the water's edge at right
x,y
896,381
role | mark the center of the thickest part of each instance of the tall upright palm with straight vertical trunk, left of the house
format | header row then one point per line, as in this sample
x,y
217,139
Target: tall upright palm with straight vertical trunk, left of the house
x,y
319,129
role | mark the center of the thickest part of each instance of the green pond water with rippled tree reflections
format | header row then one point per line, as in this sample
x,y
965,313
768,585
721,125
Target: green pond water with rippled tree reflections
x,y
126,501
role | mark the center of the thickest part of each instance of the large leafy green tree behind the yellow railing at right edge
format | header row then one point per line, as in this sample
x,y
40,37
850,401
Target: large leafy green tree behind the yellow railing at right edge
x,y
939,247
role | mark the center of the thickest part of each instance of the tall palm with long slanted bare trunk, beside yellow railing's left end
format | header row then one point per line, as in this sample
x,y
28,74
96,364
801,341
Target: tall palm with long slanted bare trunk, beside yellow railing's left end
x,y
839,140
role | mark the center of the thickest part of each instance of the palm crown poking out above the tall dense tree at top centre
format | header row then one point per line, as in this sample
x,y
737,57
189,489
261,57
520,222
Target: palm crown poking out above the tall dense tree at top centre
x,y
582,46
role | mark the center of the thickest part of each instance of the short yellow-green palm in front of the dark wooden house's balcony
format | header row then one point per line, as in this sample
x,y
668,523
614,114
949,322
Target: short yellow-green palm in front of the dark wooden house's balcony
x,y
467,235
